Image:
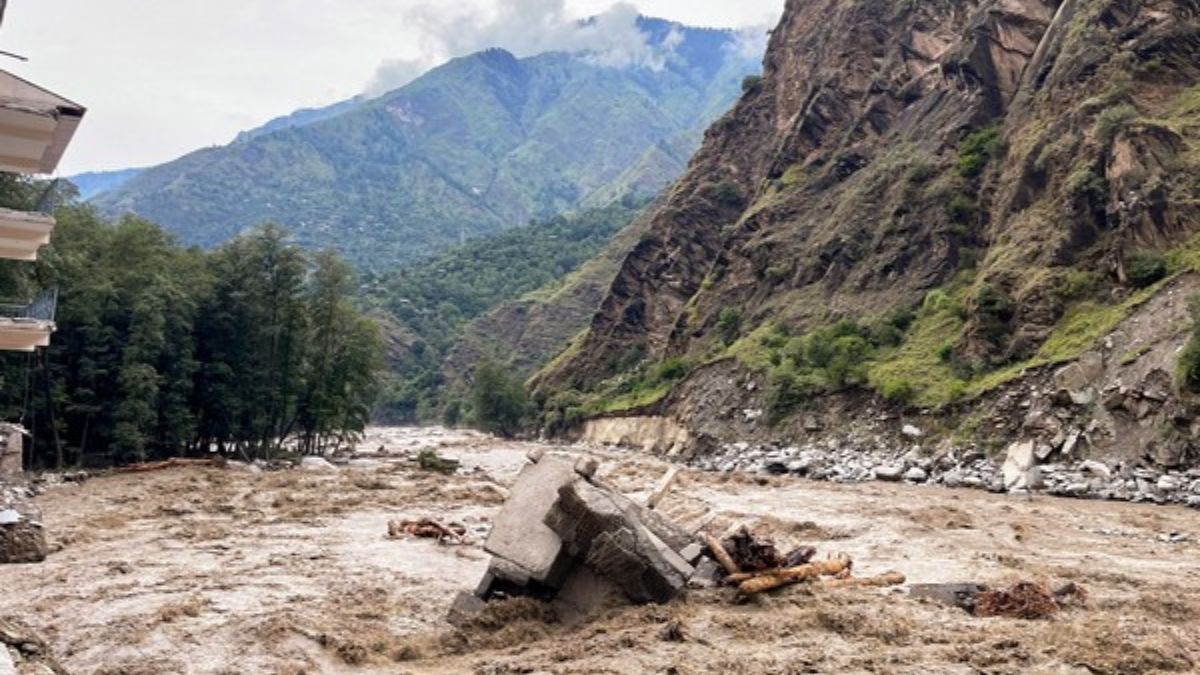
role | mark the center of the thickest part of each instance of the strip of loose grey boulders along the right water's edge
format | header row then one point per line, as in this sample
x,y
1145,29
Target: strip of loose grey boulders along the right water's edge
x,y
1022,469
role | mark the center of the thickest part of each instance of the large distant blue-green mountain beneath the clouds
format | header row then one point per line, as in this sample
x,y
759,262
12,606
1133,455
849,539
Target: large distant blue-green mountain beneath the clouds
x,y
481,145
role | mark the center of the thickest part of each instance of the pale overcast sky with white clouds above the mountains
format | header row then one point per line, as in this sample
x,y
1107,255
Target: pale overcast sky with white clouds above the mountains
x,y
165,77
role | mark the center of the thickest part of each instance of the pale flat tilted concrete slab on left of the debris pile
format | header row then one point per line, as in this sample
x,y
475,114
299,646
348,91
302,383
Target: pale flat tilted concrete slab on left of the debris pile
x,y
520,535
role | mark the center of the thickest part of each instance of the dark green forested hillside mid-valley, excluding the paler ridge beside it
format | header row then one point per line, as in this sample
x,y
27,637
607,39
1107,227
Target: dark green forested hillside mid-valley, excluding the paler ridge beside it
x,y
429,308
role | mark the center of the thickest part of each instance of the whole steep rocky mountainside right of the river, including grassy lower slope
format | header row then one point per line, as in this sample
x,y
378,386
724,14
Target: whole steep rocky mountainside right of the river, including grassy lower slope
x,y
927,210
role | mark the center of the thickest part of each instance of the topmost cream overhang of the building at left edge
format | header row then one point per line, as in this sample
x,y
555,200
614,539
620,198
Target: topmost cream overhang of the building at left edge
x,y
37,126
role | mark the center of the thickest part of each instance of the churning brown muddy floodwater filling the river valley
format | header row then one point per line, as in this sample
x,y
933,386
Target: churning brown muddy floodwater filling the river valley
x,y
208,571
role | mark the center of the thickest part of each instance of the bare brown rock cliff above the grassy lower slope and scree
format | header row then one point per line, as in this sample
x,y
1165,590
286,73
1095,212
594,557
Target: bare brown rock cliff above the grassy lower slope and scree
x,y
1011,158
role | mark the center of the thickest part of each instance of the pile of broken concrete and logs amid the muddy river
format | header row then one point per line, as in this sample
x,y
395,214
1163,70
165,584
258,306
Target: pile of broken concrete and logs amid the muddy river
x,y
565,537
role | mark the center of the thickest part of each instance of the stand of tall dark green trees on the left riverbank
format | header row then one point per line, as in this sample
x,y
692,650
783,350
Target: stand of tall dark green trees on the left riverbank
x,y
251,349
